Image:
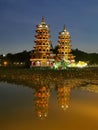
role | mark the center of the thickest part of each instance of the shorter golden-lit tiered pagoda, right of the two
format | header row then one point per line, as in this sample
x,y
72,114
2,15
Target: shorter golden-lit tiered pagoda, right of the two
x,y
64,47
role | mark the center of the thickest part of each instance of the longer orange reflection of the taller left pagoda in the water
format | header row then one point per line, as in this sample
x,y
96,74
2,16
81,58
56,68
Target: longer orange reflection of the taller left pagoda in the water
x,y
41,99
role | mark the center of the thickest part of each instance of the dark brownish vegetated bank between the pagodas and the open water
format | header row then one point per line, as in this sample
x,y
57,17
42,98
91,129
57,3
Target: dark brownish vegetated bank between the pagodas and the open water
x,y
48,77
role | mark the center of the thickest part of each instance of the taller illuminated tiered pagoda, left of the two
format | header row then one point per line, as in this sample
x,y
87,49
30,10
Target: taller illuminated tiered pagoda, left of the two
x,y
42,55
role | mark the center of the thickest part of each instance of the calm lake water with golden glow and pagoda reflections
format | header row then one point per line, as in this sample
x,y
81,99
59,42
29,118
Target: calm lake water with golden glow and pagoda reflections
x,y
61,108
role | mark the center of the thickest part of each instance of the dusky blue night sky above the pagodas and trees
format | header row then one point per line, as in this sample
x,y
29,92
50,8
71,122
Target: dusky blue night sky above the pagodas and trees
x,y
18,20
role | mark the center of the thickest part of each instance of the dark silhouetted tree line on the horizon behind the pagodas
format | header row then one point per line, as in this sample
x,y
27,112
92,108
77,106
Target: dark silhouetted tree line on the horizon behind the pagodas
x,y
23,58
